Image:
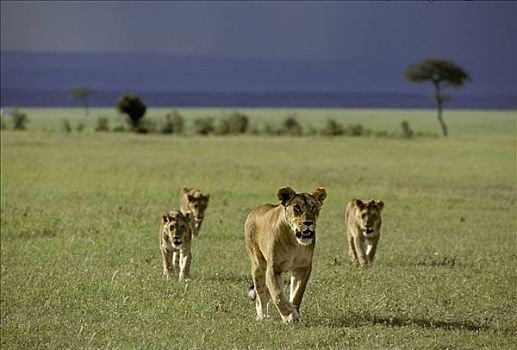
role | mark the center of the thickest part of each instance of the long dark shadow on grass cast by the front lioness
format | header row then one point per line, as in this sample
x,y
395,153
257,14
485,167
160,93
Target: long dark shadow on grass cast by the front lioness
x,y
359,320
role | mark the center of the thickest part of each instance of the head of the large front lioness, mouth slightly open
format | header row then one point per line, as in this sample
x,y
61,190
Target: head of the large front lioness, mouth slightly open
x,y
302,211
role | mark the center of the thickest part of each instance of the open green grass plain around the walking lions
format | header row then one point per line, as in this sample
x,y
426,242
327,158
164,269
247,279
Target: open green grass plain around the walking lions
x,y
81,267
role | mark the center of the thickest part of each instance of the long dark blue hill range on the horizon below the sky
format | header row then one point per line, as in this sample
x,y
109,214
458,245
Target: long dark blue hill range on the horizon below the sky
x,y
43,79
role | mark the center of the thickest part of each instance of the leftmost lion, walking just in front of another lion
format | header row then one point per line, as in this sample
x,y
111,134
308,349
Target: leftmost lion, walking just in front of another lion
x,y
175,242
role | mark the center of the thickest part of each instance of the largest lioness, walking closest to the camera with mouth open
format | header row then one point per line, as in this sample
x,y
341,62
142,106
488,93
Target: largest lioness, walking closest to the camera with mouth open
x,y
281,238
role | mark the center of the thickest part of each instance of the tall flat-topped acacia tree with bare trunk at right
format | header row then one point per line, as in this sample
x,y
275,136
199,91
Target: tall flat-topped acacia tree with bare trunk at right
x,y
441,73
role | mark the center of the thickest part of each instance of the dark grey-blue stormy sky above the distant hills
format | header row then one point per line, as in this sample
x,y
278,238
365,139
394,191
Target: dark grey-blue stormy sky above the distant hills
x,y
481,35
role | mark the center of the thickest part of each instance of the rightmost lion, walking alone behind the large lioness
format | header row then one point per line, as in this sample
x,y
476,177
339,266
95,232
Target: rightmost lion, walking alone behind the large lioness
x,y
363,224
